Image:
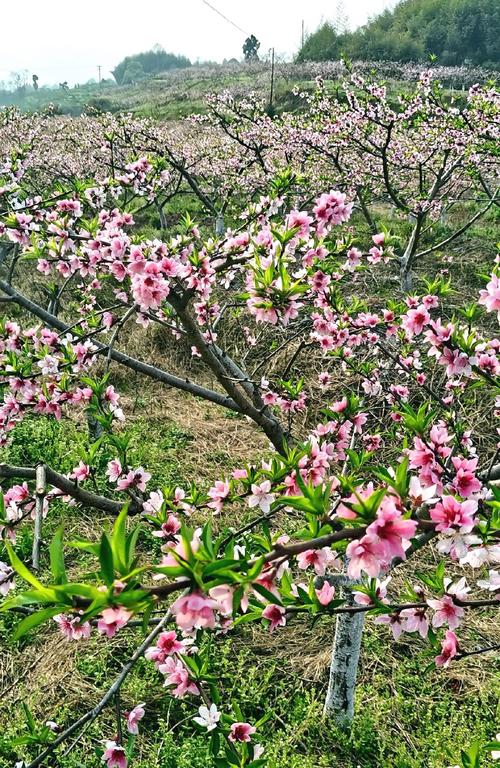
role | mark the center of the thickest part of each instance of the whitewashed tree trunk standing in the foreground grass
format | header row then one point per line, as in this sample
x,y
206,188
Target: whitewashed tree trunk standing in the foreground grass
x,y
339,701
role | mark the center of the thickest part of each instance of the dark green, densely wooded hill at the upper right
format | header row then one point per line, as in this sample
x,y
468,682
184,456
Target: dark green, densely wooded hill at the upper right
x,y
456,31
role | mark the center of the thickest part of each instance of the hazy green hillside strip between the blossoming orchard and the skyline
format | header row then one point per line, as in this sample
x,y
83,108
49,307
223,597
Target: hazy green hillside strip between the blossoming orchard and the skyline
x,y
177,93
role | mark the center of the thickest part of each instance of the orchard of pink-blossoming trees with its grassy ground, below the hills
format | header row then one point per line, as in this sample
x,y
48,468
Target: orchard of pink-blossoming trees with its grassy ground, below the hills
x,y
249,428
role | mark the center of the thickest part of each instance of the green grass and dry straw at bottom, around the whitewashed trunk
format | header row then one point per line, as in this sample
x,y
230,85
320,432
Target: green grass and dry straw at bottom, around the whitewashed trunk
x,y
404,719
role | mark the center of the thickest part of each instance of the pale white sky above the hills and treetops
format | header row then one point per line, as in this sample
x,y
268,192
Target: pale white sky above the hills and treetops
x,y
59,41
